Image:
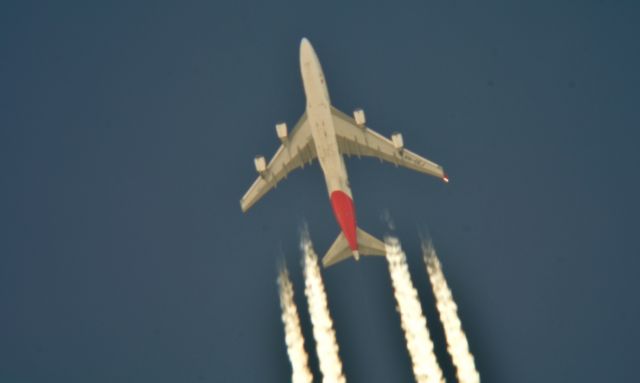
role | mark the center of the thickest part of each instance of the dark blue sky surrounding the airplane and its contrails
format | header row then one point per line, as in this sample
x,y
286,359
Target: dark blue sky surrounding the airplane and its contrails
x,y
127,133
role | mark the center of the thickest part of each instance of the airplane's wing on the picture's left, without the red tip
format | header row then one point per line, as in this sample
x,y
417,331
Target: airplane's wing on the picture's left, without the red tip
x,y
296,150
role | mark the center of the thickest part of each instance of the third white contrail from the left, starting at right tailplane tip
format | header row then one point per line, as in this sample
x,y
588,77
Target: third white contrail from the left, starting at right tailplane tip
x,y
414,323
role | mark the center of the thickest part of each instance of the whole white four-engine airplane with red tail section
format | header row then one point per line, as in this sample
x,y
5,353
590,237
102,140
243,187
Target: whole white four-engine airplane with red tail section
x,y
327,134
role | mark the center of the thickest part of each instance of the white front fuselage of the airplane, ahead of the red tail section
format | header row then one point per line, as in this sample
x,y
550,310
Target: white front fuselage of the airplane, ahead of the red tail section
x,y
321,121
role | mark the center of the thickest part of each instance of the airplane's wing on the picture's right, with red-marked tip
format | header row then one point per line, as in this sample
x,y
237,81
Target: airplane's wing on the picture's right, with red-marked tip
x,y
362,141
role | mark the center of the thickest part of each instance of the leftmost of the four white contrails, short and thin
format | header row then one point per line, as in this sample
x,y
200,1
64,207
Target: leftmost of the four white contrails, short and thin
x,y
293,333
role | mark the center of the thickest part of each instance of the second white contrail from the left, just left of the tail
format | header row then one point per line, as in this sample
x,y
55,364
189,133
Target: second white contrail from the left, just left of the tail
x,y
326,344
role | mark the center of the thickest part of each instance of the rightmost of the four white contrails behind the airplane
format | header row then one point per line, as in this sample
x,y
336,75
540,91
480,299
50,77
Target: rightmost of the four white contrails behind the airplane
x,y
457,344
